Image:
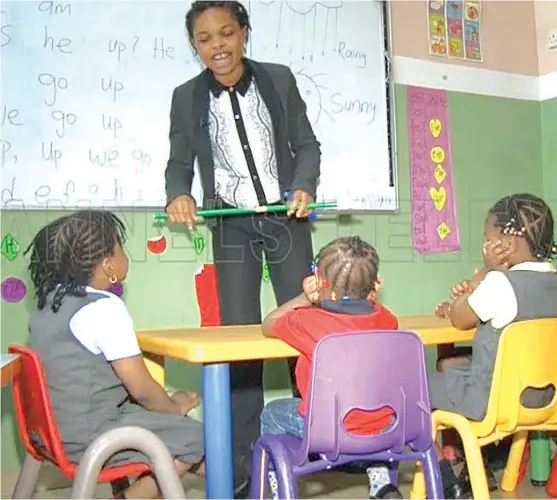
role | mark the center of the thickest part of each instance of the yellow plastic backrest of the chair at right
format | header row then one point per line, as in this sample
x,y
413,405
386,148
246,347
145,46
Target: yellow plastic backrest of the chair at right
x,y
526,357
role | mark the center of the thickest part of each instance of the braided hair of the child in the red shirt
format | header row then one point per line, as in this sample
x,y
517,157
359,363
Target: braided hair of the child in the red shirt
x,y
350,266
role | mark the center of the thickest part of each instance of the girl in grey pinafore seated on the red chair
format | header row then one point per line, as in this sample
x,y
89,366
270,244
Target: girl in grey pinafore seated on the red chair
x,y
96,376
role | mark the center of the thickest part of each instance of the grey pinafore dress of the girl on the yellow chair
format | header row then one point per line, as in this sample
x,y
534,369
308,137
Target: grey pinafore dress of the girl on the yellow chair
x,y
465,390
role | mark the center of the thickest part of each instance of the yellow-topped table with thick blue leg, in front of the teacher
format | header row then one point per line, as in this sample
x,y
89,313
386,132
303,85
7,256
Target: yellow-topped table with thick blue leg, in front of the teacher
x,y
216,347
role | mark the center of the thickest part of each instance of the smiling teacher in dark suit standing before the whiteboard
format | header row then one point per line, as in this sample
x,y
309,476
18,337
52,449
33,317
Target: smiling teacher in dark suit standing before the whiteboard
x,y
244,123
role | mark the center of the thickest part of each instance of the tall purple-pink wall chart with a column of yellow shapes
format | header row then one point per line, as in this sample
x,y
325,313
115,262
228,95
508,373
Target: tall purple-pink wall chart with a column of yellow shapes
x,y
434,219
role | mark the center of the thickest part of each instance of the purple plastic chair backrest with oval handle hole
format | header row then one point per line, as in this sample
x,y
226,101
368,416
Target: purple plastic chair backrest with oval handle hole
x,y
368,371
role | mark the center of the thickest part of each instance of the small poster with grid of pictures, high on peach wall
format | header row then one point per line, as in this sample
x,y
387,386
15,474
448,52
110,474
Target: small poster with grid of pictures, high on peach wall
x,y
455,29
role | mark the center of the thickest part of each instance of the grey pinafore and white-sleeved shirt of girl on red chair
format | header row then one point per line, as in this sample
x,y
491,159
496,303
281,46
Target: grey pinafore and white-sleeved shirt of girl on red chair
x,y
76,345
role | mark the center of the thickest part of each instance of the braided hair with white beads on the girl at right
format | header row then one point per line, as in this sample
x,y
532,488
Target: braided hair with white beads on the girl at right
x,y
530,217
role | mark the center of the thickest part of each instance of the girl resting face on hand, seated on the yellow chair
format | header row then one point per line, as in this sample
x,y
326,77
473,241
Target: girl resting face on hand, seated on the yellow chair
x,y
518,282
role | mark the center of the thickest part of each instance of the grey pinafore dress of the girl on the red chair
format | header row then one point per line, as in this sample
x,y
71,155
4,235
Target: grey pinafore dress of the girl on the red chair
x,y
89,399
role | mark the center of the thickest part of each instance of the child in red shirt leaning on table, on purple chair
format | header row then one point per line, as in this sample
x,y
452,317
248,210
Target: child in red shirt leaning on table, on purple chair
x,y
338,297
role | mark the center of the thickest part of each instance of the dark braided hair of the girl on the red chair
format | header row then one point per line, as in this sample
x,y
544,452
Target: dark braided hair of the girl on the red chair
x,y
65,252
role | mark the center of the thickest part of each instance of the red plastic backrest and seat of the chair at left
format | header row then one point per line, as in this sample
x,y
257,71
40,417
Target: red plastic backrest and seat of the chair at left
x,y
34,416
